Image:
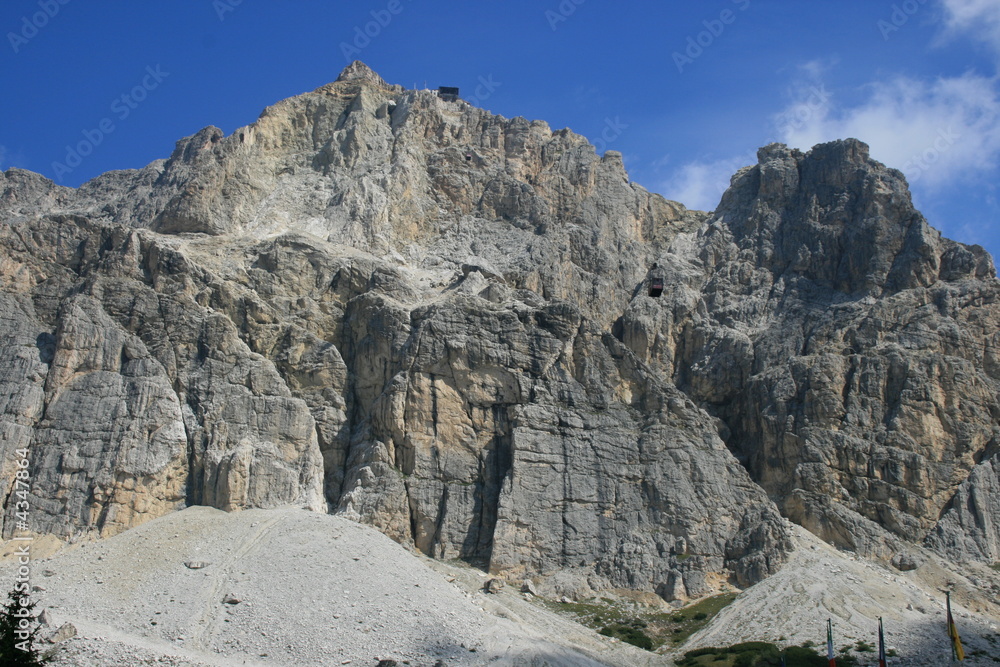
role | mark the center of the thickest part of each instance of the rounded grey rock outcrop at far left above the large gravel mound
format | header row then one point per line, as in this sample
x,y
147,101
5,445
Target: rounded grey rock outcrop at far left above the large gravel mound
x,y
135,402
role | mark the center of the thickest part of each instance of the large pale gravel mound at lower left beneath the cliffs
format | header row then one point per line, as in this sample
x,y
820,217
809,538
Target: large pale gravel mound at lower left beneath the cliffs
x,y
279,587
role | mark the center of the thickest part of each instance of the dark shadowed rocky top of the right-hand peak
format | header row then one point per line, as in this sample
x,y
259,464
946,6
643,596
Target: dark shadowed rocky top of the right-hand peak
x,y
837,218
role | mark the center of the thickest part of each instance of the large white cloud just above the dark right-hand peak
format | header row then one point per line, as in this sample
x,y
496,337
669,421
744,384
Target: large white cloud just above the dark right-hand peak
x,y
935,132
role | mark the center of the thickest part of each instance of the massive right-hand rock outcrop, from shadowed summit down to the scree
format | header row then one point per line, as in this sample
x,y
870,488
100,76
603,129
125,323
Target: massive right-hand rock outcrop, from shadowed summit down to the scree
x,y
845,344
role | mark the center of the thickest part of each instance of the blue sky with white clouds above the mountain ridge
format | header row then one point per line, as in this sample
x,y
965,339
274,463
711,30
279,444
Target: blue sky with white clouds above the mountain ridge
x,y
686,91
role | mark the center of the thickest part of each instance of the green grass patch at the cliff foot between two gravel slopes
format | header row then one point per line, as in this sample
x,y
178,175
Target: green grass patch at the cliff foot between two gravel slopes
x,y
628,623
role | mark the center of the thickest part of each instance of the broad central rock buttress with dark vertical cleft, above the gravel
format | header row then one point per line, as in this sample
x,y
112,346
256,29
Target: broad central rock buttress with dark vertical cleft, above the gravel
x,y
522,438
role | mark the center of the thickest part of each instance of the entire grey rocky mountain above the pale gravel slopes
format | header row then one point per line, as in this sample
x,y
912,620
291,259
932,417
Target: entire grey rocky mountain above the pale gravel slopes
x,y
434,320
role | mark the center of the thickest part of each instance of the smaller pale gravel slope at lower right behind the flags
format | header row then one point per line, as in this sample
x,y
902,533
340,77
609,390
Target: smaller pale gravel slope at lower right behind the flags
x,y
820,582
